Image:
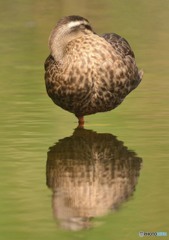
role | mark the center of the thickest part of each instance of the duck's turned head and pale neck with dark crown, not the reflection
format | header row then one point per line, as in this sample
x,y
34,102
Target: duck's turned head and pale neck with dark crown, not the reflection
x,y
66,30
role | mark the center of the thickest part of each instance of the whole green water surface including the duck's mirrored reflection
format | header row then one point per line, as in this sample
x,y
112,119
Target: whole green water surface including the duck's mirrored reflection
x,y
119,166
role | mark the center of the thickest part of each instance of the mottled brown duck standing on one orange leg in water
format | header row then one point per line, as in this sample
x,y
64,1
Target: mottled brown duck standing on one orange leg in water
x,y
87,73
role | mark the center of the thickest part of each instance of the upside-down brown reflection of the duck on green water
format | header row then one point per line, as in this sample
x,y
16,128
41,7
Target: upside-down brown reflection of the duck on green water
x,y
89,173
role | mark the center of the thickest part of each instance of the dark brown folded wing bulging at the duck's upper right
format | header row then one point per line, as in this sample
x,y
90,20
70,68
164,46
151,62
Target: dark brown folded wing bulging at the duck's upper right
x,y
120,44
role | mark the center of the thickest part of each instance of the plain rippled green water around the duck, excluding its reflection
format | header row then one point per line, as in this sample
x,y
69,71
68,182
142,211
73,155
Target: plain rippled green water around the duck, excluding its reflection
x,y
31,123
